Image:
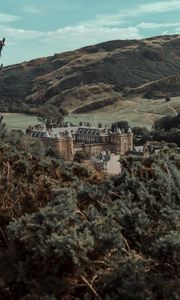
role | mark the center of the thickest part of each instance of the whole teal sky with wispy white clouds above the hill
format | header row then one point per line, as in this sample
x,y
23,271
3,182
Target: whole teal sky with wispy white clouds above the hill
x,y
40,28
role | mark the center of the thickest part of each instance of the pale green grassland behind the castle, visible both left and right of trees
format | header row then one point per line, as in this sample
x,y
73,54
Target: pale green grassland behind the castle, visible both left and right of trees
x,y
138,112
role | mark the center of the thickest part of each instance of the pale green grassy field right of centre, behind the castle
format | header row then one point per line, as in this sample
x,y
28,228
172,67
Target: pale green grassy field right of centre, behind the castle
x,y
138,112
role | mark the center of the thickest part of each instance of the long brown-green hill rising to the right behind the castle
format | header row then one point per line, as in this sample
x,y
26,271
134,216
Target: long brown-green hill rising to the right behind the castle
x,y
96,76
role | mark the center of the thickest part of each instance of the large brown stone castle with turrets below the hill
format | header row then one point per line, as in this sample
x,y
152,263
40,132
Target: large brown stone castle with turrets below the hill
x,y
68,140
